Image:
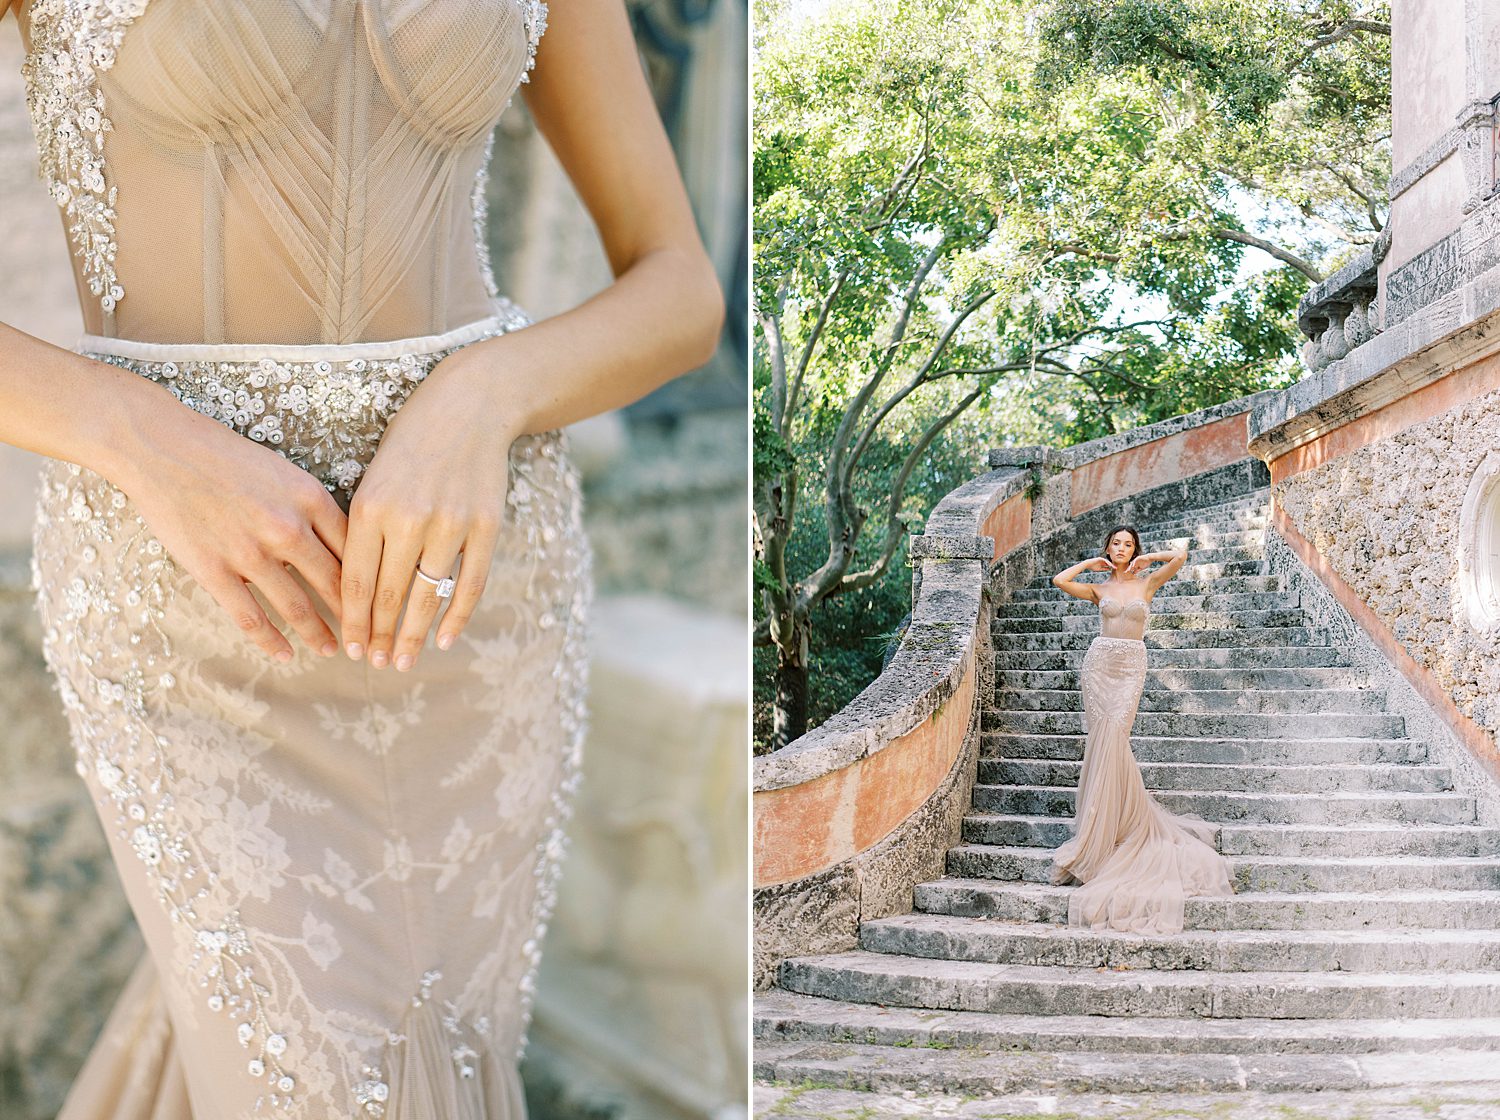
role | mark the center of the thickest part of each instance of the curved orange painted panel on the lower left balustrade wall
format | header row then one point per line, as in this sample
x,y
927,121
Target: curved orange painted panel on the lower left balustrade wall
x,y
817,825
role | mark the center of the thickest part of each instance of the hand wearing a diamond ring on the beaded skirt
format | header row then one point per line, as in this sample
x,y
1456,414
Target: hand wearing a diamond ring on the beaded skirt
x,y
436,488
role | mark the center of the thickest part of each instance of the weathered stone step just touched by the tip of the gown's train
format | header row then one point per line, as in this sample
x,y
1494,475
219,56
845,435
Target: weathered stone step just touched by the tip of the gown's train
x,y
977,939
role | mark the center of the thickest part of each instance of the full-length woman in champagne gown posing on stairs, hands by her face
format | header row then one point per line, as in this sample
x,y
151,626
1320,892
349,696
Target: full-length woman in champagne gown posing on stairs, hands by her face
x,y
1136,860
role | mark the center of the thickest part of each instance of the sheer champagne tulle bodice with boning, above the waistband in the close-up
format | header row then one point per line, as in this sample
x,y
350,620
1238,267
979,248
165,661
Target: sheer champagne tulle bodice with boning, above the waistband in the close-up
x,y
278,172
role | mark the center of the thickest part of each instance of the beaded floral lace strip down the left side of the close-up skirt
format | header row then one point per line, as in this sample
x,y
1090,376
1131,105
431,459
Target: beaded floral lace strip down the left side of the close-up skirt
x,y
110,656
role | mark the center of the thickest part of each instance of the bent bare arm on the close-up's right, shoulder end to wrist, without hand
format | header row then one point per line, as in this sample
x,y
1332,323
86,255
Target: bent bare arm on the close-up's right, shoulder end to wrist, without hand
x,y
664,314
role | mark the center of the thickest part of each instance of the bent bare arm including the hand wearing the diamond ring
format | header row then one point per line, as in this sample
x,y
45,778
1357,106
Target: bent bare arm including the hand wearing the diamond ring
x,y
439,481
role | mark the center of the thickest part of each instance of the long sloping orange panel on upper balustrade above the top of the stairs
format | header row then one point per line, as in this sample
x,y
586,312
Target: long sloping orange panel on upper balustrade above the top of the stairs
x,y
1181,455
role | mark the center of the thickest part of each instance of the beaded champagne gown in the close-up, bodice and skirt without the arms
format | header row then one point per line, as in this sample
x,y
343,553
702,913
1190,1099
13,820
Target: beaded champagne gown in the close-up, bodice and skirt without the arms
x,y
343,875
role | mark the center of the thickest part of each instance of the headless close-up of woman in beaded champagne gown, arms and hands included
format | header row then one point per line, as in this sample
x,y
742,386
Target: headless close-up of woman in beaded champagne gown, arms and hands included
x,y
343,861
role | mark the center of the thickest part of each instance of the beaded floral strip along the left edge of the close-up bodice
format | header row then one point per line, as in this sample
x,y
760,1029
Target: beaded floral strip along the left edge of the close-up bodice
x,y
73,43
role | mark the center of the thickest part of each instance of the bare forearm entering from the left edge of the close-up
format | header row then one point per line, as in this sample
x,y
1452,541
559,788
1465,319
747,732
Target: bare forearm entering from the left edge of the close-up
x,y
68,407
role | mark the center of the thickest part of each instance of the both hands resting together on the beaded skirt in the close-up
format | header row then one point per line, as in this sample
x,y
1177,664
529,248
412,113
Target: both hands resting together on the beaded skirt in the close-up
x,y
434,490
